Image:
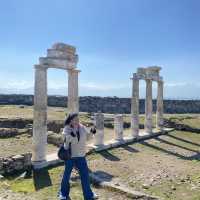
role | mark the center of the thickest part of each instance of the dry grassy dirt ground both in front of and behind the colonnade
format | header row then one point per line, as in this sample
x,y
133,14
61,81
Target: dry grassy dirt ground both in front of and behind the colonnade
x,y
167,166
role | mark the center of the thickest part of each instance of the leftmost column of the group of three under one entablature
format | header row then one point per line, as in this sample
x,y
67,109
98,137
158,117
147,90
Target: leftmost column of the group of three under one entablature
x,y
135,106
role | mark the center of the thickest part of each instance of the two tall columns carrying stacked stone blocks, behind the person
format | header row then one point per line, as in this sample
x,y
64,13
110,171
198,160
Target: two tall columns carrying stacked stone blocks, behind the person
x,y
60,56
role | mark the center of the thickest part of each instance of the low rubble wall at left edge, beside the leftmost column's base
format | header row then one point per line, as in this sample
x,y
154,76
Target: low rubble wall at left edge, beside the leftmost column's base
x,y
15,163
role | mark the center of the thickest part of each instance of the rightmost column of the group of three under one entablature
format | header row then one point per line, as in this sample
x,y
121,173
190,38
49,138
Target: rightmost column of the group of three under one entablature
x,y
159,113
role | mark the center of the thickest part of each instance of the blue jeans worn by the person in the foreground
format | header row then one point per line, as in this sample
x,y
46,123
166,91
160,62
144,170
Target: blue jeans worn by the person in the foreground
x,y
81,164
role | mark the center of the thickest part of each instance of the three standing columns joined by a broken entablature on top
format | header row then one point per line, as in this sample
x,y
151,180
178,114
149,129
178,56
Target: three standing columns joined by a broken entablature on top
x,y
148,74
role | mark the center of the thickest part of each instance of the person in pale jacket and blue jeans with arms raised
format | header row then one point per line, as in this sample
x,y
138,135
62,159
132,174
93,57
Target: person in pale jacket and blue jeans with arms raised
x,y
76,134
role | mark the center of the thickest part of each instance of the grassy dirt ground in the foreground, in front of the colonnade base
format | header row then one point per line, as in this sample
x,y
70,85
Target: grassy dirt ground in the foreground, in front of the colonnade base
x,y
167,167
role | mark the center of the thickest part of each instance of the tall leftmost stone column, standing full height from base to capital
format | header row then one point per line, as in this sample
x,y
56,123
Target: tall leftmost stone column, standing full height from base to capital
x,y
40,116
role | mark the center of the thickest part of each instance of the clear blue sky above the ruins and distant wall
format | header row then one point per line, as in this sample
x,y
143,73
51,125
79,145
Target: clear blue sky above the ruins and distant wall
x,y
113,38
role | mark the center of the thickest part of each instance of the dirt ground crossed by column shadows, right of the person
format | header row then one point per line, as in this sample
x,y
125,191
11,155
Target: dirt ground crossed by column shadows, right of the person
x,y
167,166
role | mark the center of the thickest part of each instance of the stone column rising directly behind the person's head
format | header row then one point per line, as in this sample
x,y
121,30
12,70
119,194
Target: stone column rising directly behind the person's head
x,y
73,96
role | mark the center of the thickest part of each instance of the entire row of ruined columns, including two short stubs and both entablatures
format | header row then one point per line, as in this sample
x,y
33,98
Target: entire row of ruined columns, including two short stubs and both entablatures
x,y
63,56
